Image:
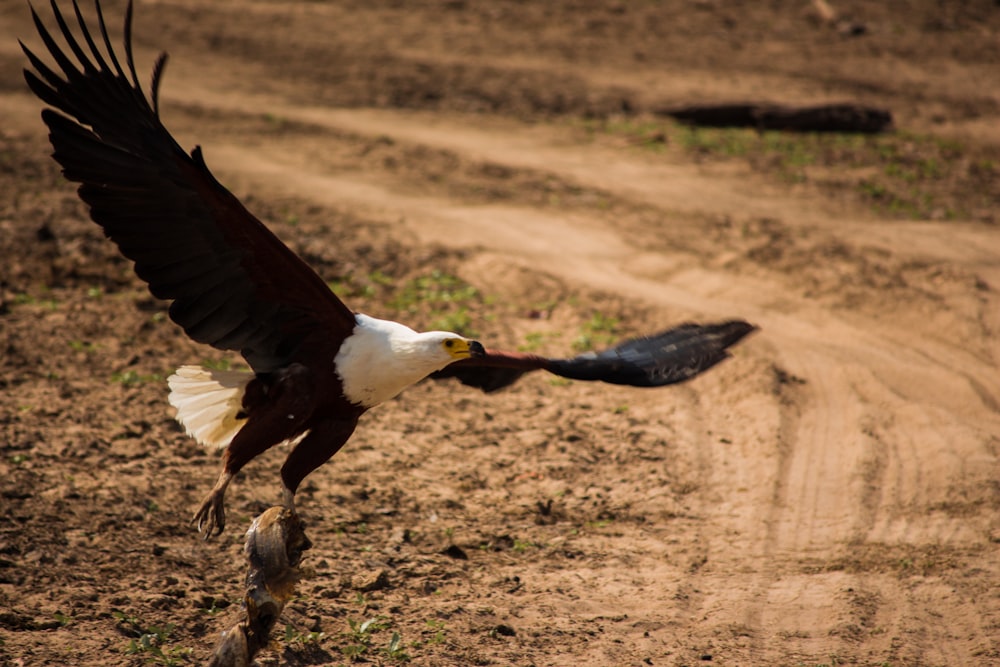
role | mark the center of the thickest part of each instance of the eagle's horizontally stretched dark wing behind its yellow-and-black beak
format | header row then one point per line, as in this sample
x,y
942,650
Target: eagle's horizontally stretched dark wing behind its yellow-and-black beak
x,y
668,357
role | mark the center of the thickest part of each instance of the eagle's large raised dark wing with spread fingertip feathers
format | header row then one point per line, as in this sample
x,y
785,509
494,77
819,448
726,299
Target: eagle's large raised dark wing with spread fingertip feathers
x,y
234,285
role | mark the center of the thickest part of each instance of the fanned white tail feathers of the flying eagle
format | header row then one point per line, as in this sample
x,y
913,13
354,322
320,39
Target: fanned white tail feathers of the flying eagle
x,y
208,402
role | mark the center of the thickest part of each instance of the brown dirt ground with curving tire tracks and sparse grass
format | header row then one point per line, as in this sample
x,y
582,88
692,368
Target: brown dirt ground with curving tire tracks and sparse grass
x,y
829,496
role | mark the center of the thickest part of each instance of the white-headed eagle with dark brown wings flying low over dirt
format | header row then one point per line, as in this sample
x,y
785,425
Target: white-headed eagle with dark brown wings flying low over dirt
x,y
315,365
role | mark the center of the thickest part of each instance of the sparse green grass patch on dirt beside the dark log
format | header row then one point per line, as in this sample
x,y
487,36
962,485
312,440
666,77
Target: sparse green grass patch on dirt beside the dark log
x,y
901,174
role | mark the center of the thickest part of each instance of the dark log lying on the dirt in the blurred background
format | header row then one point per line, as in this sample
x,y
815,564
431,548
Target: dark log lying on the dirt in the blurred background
x,y
820,118
